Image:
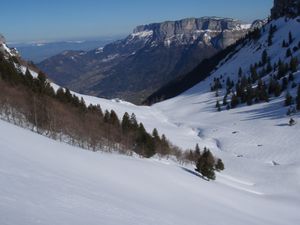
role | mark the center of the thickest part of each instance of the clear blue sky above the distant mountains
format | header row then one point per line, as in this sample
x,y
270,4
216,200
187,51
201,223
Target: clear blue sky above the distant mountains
x,y
32,20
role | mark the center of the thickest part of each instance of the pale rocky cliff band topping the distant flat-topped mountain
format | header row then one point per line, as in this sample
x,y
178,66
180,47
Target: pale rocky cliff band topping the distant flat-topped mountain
x,y
188,31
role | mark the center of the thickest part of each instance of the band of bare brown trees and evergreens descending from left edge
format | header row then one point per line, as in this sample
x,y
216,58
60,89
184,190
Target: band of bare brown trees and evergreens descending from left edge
x,y
32,103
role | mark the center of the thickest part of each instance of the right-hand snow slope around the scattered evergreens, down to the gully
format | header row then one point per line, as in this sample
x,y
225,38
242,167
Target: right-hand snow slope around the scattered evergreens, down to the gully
x,y
255,141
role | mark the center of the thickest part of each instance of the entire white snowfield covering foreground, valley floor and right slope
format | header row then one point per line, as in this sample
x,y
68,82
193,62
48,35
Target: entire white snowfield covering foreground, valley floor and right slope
x,y
47,182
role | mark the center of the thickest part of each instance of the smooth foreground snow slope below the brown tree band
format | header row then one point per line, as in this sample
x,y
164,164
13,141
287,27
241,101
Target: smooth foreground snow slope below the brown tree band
x,y
52,183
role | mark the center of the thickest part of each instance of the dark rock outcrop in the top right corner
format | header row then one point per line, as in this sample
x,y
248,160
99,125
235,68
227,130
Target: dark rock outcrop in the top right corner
x,y
289,8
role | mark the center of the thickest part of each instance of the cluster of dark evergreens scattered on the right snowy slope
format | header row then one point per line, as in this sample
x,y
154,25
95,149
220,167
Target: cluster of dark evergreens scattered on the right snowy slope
x,y
253,88
